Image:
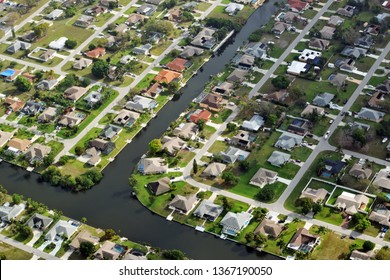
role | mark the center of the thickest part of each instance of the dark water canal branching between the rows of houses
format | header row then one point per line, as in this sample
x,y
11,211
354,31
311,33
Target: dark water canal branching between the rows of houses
x,y
109,204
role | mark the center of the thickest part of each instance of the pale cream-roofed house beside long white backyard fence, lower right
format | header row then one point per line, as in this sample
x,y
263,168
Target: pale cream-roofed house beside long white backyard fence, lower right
x,y
352,203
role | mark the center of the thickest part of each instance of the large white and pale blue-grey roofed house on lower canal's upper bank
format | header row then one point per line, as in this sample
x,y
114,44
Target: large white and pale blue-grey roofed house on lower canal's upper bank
x,y
233,223
